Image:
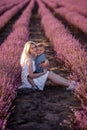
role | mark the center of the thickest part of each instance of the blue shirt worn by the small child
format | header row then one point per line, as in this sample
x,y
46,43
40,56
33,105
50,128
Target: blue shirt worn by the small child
x,y
38,60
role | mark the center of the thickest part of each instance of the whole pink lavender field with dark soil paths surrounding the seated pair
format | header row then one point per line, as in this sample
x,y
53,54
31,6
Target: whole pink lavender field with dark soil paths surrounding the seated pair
x,y
62,26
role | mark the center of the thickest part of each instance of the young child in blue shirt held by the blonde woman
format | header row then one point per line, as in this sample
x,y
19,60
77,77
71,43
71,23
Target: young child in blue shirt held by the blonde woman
x,y
41,61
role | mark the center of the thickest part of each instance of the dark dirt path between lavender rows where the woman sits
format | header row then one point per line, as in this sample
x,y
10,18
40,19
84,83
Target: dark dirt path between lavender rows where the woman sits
x,y
50,109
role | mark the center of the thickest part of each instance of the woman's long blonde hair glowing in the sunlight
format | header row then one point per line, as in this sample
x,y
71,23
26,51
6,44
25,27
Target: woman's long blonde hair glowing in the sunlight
x,y
25,53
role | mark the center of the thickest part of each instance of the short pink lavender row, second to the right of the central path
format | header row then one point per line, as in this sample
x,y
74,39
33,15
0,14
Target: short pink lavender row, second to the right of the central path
x,y
73,18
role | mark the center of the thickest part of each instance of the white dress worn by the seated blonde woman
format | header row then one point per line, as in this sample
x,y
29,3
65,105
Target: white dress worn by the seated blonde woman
x,y
39,82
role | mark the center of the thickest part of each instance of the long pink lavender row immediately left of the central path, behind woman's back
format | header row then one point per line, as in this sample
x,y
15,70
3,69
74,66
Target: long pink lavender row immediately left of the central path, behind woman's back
x,y
10,71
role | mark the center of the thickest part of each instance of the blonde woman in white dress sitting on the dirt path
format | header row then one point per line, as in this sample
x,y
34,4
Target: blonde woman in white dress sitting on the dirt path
x,y
28,68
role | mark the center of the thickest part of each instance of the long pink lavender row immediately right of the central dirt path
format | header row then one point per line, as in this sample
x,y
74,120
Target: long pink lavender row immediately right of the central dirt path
x,y
69,50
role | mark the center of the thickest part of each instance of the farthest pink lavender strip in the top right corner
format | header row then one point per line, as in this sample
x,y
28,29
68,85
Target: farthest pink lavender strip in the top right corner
x,y
72,5
